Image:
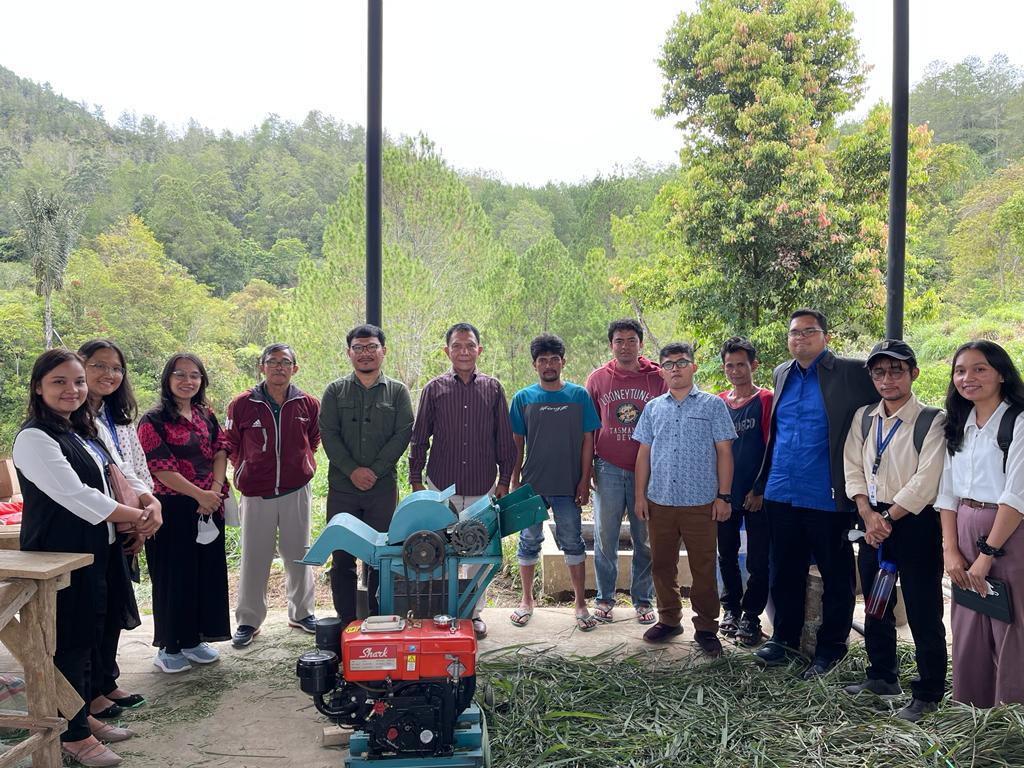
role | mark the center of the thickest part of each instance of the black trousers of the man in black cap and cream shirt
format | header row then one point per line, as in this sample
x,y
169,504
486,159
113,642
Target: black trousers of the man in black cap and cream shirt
x,y
916,548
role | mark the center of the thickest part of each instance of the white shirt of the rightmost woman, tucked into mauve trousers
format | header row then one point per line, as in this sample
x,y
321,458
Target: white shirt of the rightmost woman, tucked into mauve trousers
x,y
976,471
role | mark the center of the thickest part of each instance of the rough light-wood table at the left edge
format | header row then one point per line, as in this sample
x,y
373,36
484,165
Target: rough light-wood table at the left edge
x,y
29,584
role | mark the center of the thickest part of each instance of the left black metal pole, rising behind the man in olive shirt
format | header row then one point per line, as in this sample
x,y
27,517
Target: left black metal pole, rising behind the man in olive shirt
x,y
375,143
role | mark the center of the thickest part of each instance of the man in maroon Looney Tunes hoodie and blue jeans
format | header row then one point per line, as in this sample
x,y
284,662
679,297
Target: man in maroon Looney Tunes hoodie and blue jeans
x,y
620,390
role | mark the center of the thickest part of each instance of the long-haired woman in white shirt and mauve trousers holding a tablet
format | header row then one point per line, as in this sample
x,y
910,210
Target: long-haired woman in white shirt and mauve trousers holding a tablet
x,y
982,500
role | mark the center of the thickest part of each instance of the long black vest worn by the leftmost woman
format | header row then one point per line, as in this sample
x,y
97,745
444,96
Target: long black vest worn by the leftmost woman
x,y
47,527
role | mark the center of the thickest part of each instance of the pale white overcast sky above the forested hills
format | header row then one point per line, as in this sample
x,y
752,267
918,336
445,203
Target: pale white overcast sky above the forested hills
x,y
531,91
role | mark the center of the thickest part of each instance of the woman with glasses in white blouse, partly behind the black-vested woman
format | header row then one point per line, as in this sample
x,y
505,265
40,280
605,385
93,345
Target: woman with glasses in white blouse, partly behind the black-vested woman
x,y
113,405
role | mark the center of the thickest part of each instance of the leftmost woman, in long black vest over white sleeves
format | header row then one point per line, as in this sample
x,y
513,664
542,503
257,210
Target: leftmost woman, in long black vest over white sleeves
x,y
62,466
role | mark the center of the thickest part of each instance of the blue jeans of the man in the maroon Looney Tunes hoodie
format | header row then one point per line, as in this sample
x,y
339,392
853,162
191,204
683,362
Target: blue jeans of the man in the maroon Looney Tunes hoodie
x,y
613,498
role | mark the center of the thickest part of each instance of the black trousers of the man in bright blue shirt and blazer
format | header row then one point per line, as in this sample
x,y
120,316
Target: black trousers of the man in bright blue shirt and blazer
x,y
797,535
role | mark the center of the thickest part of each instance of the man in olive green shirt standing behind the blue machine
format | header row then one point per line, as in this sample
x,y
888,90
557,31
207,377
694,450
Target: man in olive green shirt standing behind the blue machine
x,y
366,424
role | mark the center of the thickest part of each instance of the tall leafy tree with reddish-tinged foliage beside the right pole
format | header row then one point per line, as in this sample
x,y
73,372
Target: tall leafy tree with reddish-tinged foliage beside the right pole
x,y
757,88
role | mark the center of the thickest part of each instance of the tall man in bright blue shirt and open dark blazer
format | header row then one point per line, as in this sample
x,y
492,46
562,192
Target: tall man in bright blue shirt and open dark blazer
x,y
804,486
